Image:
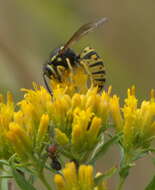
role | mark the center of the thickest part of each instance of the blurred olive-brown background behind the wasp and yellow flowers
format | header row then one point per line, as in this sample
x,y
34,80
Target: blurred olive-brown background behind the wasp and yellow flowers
x,y
29,30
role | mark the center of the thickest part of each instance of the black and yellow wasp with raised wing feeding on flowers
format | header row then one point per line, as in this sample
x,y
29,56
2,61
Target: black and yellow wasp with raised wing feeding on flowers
x,y
65,59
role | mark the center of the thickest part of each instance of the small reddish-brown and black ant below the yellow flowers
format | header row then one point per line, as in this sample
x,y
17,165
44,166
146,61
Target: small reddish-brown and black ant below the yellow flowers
x,y
52,153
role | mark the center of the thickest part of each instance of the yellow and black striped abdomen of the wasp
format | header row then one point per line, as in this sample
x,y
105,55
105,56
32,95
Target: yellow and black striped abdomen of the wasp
x,y
94,66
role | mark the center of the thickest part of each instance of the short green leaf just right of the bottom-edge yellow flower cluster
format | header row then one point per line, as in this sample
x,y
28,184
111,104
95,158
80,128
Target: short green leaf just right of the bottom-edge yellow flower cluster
x,y
105,176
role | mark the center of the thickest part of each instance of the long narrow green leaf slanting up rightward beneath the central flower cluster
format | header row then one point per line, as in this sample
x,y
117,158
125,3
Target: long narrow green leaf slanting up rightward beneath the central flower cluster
x,y
103,149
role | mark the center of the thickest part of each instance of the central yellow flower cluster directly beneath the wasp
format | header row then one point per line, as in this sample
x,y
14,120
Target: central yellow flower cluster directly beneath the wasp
x,y
78,119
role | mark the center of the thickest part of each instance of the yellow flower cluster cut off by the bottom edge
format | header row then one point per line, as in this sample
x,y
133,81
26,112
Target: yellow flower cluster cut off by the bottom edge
x,y
71,179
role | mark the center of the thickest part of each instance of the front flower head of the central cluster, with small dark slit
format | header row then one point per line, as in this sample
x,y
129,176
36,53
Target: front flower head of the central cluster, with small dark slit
x,y
81,131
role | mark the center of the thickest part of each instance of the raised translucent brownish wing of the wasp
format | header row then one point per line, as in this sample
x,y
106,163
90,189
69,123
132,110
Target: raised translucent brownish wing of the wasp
x,y
82,31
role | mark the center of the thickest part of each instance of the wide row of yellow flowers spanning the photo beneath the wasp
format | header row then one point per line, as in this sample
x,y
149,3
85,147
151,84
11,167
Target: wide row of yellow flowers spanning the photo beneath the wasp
x,y
75,119
